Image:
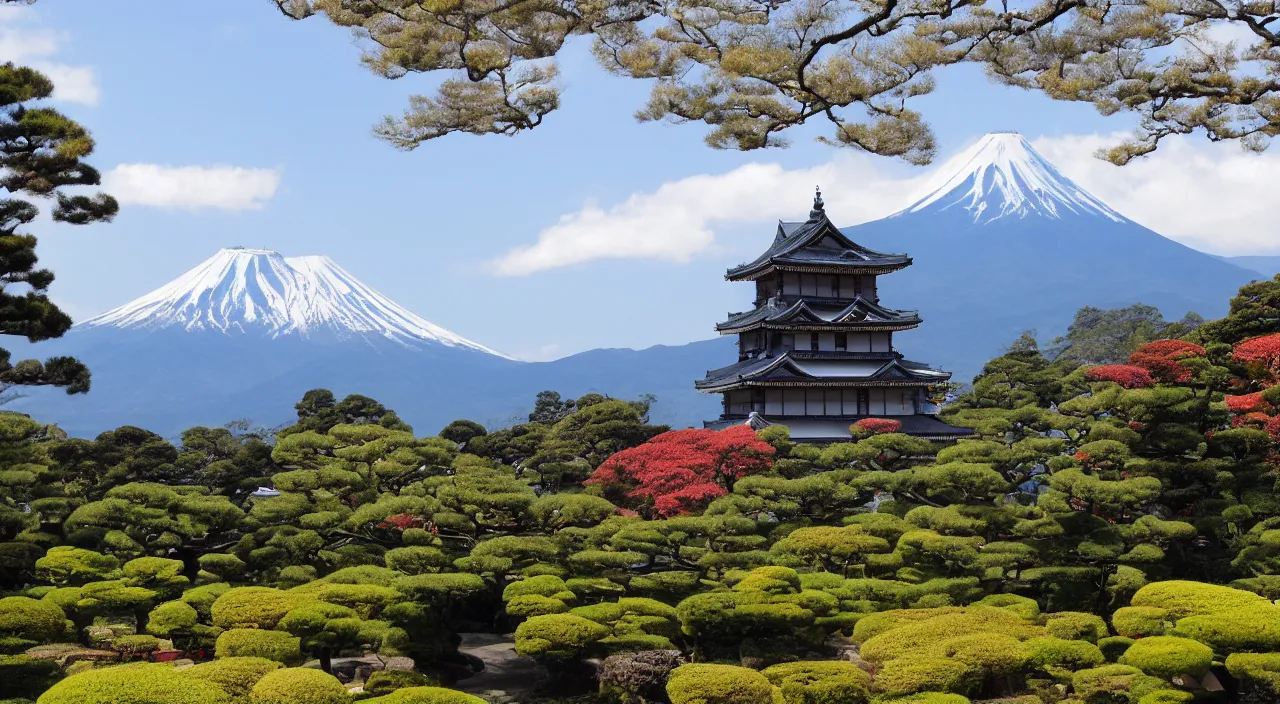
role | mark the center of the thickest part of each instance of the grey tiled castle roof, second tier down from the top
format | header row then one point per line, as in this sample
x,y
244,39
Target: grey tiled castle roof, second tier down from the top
x,y
807,314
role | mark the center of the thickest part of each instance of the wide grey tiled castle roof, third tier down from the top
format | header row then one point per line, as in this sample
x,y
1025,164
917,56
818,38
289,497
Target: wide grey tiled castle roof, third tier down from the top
x,y
788,371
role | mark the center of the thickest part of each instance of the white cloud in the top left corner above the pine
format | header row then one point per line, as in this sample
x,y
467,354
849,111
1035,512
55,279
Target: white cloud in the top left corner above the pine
x,y
38,48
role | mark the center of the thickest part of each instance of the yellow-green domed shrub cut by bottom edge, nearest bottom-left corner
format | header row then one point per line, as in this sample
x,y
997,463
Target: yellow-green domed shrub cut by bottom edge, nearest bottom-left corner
x,y
134,684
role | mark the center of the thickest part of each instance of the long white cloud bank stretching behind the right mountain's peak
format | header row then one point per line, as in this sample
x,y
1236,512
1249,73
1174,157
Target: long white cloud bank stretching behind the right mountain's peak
x,y
1215,198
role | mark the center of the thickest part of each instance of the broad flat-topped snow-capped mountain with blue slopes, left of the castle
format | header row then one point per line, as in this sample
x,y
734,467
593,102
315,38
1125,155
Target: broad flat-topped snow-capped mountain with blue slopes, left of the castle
x,y
248,332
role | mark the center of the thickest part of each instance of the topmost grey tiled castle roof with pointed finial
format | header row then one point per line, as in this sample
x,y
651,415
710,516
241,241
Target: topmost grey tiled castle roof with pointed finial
x,y
817,245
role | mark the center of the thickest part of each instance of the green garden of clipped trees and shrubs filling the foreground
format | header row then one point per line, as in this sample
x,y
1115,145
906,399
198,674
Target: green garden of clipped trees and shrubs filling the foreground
x,y
1110,536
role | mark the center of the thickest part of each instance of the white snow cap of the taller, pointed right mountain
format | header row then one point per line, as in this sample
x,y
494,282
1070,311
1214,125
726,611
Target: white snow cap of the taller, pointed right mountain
x,y
1004,177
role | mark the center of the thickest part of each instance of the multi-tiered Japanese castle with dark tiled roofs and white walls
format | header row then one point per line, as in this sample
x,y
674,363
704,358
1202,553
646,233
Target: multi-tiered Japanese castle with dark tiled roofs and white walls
x,y
817,351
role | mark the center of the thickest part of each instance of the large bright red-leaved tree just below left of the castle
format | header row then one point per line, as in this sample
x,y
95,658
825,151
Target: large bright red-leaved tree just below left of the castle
x,y
682,472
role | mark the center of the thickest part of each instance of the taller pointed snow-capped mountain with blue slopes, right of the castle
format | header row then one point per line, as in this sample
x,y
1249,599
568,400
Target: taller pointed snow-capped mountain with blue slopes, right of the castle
x,y
1004,243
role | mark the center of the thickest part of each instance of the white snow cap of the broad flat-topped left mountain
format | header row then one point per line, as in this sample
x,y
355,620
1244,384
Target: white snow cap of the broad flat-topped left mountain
x,y
259,291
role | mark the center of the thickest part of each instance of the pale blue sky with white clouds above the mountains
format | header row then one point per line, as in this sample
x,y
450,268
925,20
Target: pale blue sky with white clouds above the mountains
x,y
232,85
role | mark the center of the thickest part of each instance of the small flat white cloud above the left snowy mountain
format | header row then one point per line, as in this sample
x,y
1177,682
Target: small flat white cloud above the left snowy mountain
x,y
193,188
